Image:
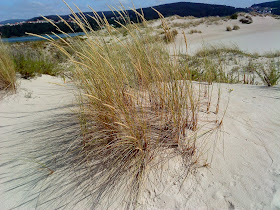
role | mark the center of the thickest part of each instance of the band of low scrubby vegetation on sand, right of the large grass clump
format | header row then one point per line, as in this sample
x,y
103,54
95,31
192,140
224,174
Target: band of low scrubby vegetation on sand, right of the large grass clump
x,y
231,65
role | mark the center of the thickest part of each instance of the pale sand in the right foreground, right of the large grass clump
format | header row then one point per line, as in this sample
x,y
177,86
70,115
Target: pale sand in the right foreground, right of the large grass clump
x,y
245,172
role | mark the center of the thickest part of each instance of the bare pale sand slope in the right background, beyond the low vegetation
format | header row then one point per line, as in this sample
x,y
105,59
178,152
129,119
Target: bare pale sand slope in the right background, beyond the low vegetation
x,y
260,36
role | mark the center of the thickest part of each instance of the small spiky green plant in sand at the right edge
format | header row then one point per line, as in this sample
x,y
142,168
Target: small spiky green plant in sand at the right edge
x,y
270,75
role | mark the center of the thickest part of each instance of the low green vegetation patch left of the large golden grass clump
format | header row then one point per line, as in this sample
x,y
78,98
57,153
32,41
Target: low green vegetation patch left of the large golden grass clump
x,y
35,58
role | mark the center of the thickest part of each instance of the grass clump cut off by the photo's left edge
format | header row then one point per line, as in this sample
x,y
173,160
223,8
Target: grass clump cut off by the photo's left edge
x,y
7,69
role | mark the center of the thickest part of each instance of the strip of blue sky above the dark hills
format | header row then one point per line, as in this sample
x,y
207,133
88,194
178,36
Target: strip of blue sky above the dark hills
x,y
24,9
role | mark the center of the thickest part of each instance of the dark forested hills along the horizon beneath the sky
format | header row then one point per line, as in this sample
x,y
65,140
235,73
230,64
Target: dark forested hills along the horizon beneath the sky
x,y
181,9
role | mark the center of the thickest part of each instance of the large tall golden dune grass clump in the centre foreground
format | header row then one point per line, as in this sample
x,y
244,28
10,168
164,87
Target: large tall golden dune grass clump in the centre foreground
x,y
136,104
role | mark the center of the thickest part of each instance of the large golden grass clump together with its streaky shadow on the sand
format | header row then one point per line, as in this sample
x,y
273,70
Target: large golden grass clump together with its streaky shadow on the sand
x,y
137,109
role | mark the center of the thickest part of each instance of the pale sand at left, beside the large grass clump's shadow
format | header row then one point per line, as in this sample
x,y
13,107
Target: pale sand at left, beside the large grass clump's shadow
x,y
35,100
